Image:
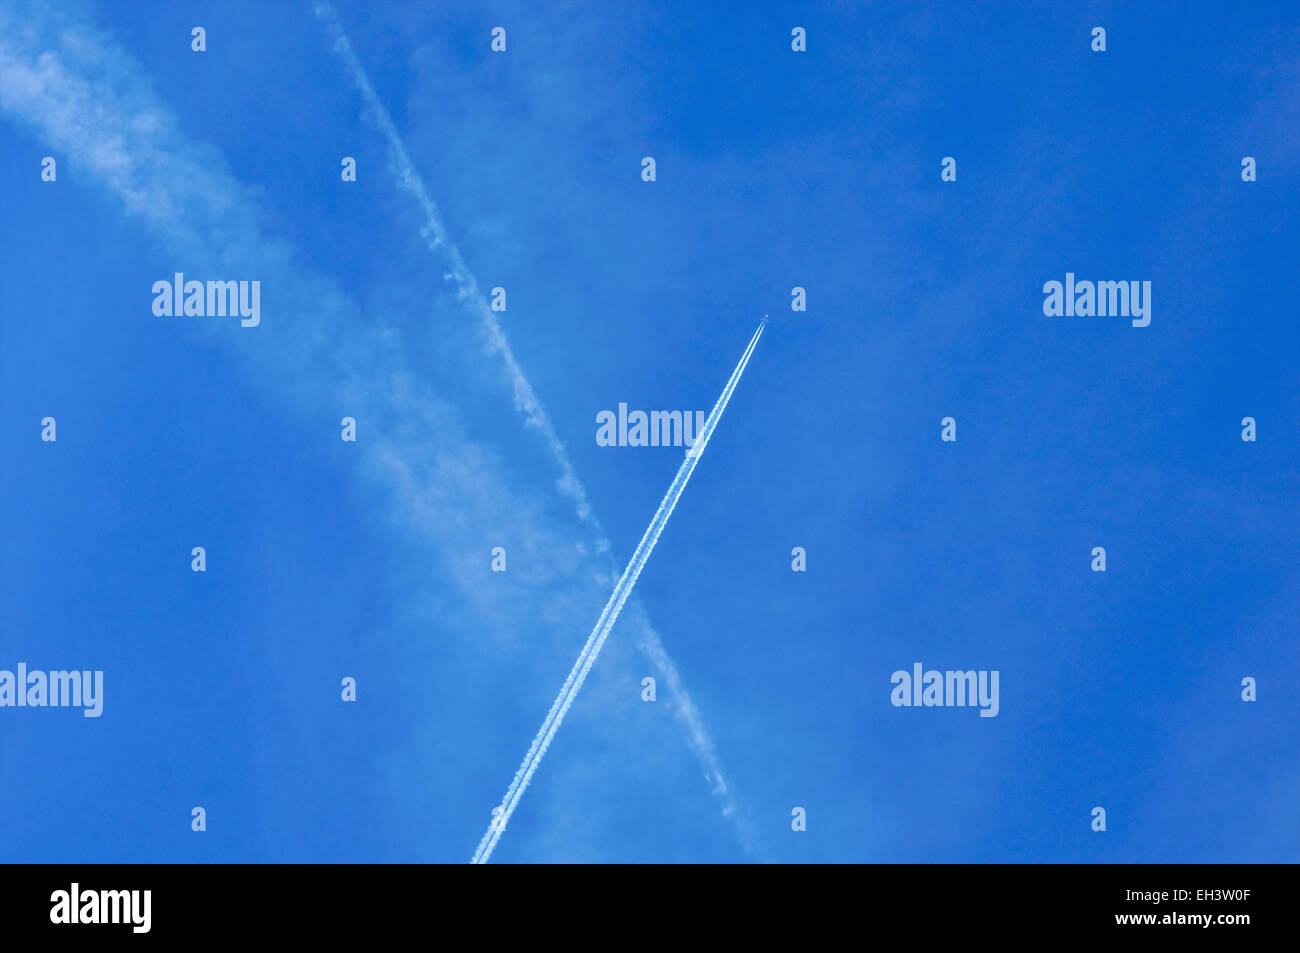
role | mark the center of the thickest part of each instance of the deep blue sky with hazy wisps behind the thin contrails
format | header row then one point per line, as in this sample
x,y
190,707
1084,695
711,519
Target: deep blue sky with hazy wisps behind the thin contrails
x,y
774,170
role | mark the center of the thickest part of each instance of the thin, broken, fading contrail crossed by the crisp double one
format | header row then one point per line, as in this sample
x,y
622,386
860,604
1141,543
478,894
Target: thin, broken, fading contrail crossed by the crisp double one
x,y
535,414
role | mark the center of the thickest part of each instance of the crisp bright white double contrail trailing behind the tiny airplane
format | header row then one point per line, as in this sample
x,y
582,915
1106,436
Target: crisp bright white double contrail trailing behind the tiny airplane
x,y
587,659
